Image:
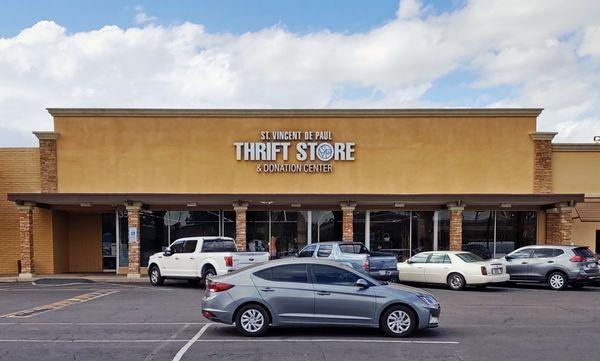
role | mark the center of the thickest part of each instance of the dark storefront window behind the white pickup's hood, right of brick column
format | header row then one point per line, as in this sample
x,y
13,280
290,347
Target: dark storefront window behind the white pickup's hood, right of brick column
x,y
153,234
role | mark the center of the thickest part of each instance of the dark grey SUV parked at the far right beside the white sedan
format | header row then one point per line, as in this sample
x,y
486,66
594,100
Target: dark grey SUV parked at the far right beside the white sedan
x,y
556,265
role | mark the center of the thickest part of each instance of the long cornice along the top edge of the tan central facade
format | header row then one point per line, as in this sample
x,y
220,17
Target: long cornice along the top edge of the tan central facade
x,y
342,113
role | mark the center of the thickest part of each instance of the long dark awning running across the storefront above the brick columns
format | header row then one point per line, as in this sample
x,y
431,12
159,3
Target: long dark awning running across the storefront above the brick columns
x,y
157,200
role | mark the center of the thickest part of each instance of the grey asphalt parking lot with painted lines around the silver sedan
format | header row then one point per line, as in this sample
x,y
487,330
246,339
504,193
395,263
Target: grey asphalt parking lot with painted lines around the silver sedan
x,y
72,320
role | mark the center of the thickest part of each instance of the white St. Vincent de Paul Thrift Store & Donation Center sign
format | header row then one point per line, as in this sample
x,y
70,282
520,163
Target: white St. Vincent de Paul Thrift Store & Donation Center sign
x,y
295,152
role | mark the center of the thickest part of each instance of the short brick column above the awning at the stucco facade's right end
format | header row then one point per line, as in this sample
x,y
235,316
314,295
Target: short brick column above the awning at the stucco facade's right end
x,y
542,161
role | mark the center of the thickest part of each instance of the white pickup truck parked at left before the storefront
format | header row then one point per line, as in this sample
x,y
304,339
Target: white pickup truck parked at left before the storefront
x,y
196,258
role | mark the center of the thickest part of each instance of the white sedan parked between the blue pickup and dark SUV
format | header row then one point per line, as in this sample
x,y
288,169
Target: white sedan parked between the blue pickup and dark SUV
x,y
454,268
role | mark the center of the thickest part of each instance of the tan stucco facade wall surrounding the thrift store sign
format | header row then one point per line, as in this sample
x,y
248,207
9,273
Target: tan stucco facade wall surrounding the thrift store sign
x,y
393,155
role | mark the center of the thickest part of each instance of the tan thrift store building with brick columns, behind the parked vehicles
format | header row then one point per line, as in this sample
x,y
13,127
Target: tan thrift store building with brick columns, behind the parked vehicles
x,y
106,188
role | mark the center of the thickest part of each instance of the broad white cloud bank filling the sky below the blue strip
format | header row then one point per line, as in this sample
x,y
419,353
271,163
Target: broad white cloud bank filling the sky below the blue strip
x,y
547,52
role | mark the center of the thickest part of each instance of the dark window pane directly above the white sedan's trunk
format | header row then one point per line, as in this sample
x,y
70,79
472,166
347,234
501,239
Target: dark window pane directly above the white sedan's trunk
x,y
478,233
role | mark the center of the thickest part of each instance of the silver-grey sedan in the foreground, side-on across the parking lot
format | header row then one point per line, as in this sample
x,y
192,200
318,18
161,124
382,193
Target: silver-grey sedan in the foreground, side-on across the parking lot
x,y
315,292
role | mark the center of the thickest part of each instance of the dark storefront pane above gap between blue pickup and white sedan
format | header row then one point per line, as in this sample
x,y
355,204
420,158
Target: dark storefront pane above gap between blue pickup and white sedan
x,y
390,230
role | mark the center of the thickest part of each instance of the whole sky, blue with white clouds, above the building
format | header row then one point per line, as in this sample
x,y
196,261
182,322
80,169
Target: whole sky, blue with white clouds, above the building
x,y
300,54
